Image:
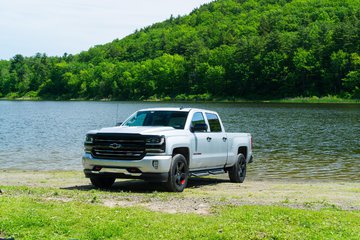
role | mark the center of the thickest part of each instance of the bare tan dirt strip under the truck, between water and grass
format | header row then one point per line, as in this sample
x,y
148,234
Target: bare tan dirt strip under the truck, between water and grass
x,y
201,194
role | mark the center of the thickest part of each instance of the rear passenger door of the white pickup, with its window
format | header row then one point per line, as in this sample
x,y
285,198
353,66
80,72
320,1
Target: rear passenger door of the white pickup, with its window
x,y
217,141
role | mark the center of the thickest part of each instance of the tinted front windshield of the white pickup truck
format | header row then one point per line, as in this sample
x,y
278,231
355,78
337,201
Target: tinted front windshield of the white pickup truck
x,y
175,119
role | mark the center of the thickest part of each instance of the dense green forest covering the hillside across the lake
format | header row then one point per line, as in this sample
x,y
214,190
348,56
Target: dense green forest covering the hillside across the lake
x,y
227,49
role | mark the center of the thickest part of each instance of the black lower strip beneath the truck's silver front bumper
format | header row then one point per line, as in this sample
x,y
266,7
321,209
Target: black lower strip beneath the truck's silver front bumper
x,y
151,177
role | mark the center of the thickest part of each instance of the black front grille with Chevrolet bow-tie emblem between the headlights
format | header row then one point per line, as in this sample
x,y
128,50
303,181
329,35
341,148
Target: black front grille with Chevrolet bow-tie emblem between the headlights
x,y
119,146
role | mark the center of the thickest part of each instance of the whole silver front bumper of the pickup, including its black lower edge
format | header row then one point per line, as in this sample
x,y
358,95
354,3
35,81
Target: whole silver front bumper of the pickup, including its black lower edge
x,y
152,168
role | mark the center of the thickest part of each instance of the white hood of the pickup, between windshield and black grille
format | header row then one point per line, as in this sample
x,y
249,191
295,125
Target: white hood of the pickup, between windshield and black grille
x,y
134,130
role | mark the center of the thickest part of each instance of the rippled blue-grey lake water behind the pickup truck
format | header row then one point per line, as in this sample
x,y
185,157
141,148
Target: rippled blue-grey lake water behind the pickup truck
x,y
291,141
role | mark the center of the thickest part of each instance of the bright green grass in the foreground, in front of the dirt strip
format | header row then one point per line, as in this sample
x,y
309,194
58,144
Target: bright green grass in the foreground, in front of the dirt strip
x,y
46,213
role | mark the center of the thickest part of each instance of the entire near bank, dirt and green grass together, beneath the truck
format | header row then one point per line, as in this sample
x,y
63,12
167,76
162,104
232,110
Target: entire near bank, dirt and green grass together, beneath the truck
x,y
63,205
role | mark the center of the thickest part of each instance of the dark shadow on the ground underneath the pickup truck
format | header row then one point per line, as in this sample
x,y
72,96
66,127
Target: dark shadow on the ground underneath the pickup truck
x,y
139,186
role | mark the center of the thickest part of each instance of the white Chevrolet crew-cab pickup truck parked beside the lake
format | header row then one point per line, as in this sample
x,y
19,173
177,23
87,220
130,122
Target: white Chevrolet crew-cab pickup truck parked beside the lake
x,y
166,145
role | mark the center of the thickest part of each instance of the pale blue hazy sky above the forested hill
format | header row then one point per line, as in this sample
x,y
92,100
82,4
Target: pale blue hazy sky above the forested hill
x,y
71,26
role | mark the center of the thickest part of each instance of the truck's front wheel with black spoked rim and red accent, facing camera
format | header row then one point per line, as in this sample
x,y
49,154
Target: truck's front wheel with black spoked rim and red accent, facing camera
x,y
178,174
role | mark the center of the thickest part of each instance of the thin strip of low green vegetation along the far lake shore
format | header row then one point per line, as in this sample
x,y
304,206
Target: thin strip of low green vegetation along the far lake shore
x,y
201,98
